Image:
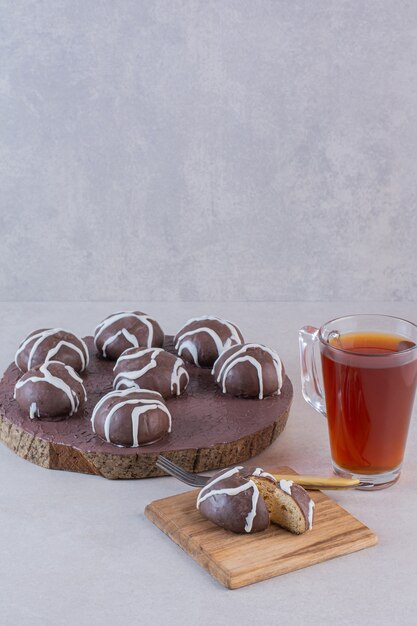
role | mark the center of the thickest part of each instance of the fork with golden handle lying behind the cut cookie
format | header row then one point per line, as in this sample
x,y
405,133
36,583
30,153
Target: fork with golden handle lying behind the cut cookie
x,y
309,482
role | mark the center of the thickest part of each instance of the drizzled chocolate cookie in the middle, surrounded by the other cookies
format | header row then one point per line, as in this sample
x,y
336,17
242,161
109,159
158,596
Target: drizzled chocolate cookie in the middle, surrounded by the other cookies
x,y
151,368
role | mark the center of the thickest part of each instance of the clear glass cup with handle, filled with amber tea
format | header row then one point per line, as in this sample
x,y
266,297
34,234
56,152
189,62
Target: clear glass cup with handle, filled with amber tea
x,y
365,386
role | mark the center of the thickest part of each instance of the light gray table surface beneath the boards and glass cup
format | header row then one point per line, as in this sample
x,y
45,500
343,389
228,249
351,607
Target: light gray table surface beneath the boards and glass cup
x,y
77,549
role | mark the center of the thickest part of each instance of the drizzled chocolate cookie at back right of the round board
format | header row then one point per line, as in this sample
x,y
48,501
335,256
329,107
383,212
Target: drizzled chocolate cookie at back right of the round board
x,y
203,339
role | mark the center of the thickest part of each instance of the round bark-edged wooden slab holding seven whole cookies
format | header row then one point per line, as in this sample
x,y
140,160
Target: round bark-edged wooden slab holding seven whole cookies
x,y
210,430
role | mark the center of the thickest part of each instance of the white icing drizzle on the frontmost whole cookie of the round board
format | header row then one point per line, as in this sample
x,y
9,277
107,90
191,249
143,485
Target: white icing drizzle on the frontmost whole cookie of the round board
x,y
142,405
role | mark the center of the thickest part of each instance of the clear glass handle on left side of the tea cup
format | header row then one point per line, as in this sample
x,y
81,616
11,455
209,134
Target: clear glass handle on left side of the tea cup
x,y
310,383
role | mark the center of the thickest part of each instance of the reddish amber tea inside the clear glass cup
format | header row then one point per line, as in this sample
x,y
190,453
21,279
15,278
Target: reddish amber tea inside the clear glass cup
x,y
368,400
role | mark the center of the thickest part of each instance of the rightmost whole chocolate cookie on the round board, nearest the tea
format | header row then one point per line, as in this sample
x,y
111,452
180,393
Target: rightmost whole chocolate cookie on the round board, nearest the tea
x,y
250,370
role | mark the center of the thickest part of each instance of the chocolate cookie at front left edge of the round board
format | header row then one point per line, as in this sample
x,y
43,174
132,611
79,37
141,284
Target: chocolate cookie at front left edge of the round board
x,y
51,390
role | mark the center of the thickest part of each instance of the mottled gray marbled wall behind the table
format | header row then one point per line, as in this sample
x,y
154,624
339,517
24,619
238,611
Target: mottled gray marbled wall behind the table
x,y
208,150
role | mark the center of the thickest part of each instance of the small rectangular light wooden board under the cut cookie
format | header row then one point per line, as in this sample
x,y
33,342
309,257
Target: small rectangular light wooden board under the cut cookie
x,y
239,560
